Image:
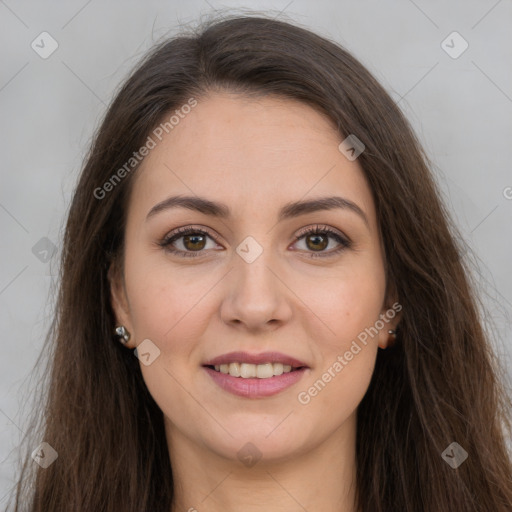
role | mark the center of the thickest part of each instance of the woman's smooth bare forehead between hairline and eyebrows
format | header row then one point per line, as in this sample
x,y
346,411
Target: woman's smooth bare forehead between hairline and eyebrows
x,y
253,154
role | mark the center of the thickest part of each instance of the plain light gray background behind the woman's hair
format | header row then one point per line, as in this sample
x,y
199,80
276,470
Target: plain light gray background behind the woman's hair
x,y
460,108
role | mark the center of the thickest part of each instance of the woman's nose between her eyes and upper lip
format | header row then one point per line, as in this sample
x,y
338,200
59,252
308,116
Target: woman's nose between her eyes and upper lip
x,y
256,296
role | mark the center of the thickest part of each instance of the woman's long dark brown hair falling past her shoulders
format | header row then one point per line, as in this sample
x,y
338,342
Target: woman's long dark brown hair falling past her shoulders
x,y
440,383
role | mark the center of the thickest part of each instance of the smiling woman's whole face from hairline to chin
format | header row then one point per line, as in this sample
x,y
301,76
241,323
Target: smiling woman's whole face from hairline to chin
x,y
255,279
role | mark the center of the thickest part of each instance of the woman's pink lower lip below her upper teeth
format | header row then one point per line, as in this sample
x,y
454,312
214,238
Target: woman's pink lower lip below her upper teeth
x,y
255,388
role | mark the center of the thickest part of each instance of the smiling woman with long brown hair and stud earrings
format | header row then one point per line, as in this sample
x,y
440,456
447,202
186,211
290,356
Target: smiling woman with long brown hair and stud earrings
x,y
254,221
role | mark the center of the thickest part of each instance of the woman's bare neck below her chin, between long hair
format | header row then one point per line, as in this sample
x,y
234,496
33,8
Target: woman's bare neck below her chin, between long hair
x,y
320,477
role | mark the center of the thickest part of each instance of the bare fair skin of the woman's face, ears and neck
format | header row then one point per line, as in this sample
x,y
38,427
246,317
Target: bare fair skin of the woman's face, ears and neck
x,y
254,155
